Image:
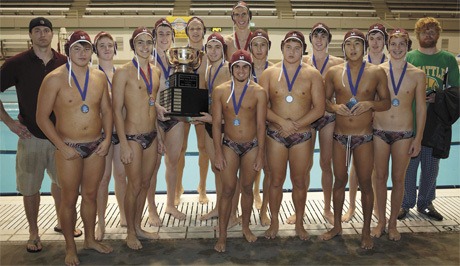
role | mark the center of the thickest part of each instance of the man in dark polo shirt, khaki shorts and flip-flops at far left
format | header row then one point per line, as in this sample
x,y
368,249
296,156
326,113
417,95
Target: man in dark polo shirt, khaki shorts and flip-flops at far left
x,y
35,153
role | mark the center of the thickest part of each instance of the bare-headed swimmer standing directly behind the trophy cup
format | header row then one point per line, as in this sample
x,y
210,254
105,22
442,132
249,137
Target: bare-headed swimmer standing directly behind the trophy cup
x,y
195,31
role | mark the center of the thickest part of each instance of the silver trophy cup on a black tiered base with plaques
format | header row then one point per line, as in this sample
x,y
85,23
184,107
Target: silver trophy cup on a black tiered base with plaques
x,y
183,97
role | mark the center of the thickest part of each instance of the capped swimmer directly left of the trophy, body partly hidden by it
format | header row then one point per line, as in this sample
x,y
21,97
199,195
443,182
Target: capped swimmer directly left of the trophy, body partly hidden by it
x,y
171,130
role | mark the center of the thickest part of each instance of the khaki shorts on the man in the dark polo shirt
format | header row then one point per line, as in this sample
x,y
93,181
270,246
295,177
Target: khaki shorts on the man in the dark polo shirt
x,y
33,157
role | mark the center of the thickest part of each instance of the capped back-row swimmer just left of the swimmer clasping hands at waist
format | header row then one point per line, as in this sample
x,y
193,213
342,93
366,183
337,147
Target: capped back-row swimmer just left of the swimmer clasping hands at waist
x,y
320,37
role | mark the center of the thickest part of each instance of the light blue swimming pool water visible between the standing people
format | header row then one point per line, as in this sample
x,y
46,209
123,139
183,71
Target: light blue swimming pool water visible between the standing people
x,y
448,173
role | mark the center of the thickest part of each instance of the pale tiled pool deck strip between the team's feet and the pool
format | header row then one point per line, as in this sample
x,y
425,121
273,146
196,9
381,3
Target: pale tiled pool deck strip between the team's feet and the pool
x,y
14,227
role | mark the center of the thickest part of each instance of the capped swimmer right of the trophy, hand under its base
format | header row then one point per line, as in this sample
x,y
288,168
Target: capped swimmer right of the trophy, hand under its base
x,y
216,74
